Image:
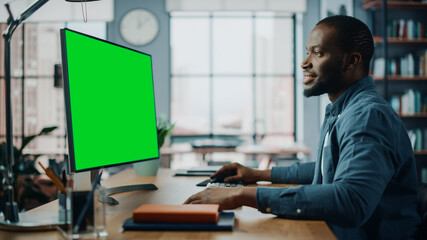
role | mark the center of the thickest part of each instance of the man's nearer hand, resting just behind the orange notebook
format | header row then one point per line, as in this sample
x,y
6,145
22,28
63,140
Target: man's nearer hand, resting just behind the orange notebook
x,y
227,198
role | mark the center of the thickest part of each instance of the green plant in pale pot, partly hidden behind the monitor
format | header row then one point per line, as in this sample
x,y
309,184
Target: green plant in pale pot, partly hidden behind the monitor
x,y
149,168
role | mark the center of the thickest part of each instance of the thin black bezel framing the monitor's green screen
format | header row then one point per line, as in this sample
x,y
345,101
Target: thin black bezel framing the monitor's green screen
x,y
67,101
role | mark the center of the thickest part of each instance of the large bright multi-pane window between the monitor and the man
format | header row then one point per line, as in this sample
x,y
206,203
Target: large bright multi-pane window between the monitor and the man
x,y
232,73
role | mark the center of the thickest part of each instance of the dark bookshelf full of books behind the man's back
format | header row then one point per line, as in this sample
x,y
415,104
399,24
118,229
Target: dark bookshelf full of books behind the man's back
x,y
399,65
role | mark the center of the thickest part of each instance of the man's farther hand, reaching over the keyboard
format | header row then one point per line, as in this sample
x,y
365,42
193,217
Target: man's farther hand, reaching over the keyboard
x,y
244,174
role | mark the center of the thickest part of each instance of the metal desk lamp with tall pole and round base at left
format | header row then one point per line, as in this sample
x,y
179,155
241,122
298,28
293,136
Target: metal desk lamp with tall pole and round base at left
x,y
12,219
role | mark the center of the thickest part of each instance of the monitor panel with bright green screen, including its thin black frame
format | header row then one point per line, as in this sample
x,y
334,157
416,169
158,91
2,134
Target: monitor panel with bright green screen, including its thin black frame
x,y
110,108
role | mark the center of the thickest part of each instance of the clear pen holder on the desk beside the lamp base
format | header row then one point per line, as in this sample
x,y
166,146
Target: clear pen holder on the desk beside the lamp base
x,y
73,205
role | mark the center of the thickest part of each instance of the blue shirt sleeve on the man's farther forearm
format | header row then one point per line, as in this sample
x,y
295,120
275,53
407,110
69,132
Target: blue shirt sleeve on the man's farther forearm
x,y
298,173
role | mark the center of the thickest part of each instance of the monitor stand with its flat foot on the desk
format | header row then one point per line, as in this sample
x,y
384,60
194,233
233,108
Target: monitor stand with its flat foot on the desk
x,y
82,182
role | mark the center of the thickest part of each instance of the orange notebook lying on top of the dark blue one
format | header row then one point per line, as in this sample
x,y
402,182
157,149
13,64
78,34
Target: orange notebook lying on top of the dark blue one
x,y
186,213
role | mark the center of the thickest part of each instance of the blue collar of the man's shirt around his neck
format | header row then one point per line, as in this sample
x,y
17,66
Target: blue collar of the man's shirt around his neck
x,y
360,85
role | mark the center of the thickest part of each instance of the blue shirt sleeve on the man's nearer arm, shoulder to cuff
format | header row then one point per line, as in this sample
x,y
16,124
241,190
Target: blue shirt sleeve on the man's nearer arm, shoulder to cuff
x,y
365,167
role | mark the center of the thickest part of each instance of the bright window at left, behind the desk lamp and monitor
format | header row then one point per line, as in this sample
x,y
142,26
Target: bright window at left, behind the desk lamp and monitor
x,y
36,102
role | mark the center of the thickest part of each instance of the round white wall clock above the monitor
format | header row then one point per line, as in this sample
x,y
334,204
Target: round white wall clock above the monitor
x,y
139,27
